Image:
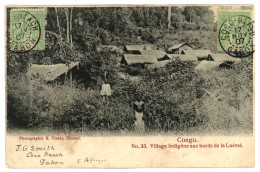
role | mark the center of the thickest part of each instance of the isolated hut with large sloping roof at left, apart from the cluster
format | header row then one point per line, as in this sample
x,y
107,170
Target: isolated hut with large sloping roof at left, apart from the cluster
x,y
57,72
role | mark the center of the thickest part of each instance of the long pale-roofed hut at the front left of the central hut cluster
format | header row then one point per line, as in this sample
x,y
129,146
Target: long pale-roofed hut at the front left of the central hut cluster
x,y
135,60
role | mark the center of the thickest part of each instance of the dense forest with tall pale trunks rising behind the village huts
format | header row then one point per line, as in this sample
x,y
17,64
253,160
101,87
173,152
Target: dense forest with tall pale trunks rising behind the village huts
x,y
73,34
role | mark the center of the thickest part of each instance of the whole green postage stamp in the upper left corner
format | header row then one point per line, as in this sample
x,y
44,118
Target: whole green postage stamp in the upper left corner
x,y
27,29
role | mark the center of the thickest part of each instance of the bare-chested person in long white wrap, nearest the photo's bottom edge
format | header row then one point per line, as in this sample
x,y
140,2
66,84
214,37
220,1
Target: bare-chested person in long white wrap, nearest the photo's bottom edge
x,y
139,113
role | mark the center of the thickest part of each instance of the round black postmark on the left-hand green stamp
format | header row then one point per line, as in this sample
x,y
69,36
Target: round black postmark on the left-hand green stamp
x,y
25,31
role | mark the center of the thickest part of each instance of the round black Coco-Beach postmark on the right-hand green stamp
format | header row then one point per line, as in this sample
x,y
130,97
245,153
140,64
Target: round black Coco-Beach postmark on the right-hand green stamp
x,y
236,36
